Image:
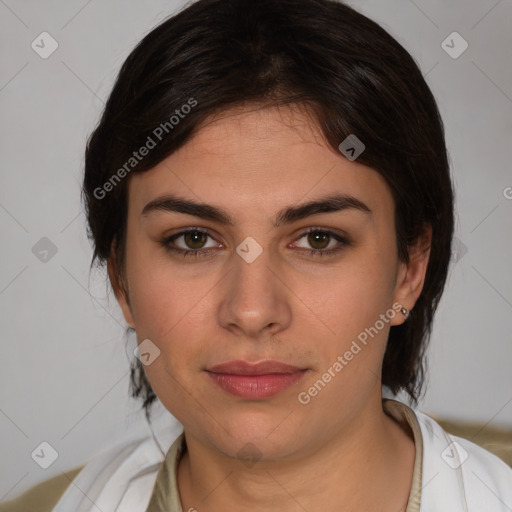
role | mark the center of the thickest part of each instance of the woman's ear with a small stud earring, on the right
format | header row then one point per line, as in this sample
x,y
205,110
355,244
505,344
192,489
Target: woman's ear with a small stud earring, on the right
x,y
411,276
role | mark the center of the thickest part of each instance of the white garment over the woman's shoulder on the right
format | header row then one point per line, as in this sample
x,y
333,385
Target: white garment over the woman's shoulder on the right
x,y
459,474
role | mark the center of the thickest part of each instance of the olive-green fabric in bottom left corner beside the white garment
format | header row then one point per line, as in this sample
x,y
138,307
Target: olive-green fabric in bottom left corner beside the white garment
x,y
44,496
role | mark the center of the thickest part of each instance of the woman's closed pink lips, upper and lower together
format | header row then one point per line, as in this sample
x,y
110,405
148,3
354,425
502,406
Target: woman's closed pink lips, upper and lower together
x,y
255,381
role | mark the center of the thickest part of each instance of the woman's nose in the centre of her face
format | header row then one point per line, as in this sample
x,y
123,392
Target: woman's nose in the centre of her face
x,y
255,299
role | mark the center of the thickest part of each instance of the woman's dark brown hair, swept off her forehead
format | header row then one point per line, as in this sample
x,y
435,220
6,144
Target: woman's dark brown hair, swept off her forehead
x,y
322,54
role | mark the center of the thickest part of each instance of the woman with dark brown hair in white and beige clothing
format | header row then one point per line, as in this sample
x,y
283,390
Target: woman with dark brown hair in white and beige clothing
x,y
270,190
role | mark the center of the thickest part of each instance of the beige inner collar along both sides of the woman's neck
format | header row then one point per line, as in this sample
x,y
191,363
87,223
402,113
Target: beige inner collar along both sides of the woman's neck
x,y
166,496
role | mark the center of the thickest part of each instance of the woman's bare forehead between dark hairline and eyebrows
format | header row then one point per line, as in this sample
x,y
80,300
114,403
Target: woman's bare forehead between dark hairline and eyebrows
x,y
258,159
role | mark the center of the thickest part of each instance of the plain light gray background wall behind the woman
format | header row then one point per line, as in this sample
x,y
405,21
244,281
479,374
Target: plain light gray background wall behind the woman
x,y
64,365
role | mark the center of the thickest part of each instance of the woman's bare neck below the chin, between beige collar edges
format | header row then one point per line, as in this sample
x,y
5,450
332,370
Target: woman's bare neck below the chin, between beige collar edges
x,y
368,464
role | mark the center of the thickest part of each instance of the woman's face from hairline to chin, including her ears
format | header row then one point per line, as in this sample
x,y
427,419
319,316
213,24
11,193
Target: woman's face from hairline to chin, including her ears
x,y
255,292
